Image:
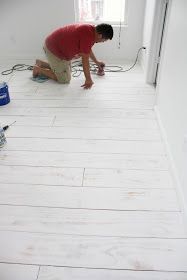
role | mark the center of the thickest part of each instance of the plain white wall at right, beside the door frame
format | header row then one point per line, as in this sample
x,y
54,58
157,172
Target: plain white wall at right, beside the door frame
x,y
172,87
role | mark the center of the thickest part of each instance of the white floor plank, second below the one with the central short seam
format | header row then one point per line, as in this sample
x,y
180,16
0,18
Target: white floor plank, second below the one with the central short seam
x,y
92,222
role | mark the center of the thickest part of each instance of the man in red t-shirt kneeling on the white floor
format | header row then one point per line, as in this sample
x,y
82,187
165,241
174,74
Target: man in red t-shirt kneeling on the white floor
x,y
67,43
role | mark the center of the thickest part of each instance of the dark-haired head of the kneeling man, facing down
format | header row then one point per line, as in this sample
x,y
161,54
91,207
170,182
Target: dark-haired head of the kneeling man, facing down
x,y
104,32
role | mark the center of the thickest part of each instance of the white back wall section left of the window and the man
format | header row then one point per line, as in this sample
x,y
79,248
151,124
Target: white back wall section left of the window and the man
x,y
25,23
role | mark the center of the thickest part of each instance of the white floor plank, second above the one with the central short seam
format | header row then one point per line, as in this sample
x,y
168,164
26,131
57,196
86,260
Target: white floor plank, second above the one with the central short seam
x,y
85,146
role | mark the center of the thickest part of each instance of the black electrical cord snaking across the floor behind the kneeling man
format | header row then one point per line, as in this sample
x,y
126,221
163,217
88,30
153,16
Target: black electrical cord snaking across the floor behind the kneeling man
x,y
77,67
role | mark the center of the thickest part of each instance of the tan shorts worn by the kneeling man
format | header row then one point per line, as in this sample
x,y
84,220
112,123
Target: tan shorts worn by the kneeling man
x,y
61,68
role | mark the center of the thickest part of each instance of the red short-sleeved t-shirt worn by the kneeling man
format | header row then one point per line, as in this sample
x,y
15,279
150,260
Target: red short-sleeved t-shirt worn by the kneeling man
x,y
71,40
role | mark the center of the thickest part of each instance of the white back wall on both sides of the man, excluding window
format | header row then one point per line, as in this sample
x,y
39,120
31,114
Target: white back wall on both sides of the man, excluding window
x,y
24,24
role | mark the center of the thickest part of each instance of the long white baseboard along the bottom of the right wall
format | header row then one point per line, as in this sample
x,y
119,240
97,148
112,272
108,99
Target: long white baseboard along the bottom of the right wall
x,y
173,168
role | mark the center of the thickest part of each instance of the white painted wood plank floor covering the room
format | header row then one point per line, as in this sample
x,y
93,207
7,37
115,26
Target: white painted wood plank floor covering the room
x,y
85,186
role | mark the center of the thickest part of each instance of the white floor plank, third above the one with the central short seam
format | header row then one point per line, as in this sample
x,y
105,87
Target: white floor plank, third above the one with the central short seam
x,y
84,133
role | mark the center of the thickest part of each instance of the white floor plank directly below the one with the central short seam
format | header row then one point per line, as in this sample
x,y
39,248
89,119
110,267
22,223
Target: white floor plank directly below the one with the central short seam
x,y
89,198
